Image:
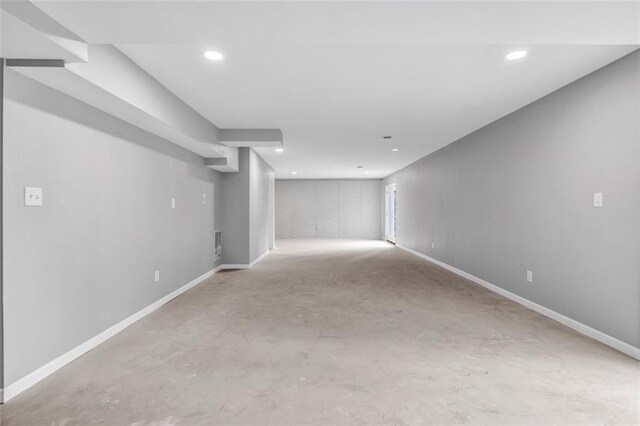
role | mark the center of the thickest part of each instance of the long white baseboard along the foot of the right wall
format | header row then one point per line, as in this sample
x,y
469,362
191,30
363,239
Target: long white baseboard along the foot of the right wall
x,y
612,342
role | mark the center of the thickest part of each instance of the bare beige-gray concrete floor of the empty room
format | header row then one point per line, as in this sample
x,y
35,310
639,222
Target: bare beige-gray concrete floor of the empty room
x,y
337,332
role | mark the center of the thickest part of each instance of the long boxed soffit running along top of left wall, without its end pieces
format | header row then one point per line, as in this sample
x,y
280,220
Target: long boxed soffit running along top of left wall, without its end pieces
x,y
113,83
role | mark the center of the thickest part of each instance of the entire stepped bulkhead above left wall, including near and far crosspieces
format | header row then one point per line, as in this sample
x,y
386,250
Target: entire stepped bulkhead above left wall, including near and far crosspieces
x,y
100,75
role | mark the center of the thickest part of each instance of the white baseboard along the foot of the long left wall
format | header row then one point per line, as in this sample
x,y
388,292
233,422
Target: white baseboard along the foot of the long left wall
x,y
34,377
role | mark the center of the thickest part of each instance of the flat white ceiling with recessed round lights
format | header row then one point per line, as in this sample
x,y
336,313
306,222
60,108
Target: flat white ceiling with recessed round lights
x,y
336,76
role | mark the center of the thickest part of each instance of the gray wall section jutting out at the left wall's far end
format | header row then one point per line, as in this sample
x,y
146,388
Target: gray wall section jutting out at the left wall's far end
x,y
245,210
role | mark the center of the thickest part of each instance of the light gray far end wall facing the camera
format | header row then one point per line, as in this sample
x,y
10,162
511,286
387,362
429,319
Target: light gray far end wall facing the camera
x,y
328,209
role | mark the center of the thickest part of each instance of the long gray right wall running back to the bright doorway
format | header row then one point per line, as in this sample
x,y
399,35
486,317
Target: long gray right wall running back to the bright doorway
x,y
517,195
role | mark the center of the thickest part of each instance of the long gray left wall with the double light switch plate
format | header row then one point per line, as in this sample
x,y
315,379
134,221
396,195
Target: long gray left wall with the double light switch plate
x,y
86,259
